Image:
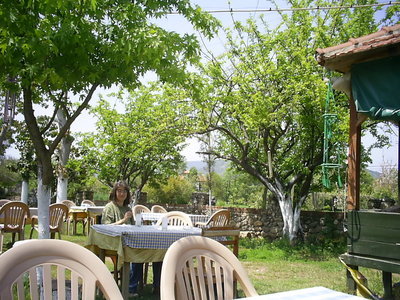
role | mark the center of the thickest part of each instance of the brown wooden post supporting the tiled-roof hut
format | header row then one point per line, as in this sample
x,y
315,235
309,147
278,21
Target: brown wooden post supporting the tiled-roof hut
x,y
354,159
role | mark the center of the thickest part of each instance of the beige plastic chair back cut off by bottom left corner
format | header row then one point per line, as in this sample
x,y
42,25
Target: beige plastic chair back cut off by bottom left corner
x,y
59,261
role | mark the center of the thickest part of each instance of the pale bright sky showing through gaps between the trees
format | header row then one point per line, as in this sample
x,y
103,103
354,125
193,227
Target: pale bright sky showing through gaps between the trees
x,y
177,23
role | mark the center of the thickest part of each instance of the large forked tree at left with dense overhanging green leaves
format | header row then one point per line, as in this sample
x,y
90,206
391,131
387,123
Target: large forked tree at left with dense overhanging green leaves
x,y
74,47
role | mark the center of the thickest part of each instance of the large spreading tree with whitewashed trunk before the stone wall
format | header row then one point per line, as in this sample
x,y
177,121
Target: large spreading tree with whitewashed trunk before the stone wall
x,y
264,99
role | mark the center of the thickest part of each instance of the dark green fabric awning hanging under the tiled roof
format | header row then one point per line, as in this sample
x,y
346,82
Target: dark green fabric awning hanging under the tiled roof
x,y
376,88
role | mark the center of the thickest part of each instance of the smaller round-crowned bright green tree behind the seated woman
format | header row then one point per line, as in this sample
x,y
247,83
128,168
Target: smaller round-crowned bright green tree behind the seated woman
x,y
140,144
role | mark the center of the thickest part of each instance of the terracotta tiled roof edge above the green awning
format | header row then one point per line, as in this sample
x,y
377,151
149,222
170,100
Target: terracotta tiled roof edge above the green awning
x,y
381,44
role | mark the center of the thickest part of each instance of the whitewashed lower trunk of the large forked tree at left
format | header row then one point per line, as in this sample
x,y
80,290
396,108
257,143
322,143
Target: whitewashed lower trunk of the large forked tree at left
x,y
43,197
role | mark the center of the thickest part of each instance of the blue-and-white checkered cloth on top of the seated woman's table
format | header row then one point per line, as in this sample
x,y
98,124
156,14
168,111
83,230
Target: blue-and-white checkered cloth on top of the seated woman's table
x,y
147,237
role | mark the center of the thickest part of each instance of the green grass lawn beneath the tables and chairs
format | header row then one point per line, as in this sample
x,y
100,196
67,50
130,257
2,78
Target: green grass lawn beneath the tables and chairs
x,y
276,267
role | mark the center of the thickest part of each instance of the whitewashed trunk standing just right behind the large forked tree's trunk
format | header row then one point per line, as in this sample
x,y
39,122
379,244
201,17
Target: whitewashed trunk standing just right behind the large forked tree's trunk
x,y
63,154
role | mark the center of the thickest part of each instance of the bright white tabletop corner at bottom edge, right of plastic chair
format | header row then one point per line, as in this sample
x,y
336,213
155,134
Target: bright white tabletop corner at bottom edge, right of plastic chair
x,y
314,293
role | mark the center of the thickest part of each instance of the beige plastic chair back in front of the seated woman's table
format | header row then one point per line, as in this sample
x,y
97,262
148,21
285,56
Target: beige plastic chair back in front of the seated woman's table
x,y
199,268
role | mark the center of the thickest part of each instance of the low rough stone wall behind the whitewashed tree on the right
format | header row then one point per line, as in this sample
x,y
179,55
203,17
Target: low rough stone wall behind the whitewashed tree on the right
x,y
268,223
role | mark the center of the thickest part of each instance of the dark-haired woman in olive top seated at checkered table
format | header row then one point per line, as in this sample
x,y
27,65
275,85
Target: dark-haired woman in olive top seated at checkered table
x,y
118,212
